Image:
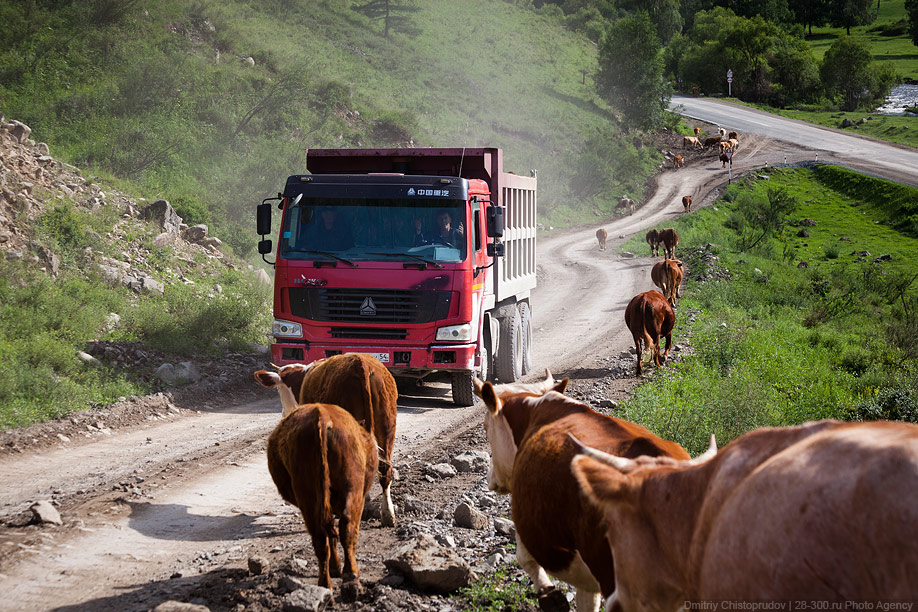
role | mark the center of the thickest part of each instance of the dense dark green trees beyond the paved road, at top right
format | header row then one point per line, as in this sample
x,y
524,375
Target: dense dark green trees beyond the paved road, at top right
x,y
762,41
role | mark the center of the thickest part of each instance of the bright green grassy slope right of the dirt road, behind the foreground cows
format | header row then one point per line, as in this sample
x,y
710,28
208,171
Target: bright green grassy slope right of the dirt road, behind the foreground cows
x,y
776,342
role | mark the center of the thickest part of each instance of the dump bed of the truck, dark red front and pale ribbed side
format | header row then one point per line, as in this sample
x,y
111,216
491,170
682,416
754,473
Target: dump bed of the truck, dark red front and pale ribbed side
x,y
515,273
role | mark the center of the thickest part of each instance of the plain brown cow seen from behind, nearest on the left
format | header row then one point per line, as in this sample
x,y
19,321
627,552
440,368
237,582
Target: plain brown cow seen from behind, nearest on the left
x,y
323,462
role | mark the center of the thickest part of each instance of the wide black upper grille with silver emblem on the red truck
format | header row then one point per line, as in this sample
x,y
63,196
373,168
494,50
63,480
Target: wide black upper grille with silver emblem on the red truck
x,y
401,306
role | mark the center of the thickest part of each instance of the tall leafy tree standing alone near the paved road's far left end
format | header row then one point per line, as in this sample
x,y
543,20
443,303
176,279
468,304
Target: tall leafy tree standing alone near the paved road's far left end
x,y
631,71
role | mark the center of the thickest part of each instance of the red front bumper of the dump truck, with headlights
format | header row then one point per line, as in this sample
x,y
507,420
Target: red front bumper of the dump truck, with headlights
x,y
420,358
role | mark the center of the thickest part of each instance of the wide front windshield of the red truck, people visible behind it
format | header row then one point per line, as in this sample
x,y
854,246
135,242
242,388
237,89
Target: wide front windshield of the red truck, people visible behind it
x,y
433,230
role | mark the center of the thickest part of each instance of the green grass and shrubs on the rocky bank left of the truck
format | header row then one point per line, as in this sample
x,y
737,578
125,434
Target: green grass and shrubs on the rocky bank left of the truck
x,y
46,321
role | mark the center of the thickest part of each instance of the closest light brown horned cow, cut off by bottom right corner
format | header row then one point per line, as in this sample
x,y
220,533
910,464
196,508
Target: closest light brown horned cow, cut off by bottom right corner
x,y
826,511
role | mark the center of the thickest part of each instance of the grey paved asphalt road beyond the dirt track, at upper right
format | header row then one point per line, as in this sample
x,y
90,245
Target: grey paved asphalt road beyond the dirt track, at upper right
x,y
893,161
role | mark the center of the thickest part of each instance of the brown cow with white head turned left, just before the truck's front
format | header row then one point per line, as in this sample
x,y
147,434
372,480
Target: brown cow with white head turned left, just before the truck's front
x,y
358,383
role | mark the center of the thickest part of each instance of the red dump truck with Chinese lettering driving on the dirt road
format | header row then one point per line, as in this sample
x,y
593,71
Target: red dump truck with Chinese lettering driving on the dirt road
x,y
424,258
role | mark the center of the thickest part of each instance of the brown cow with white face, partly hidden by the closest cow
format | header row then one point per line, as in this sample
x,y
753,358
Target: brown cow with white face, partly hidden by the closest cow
x,y
556,532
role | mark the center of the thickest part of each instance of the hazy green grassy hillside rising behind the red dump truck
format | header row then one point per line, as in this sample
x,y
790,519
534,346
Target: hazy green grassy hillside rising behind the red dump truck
x,y
163,93
